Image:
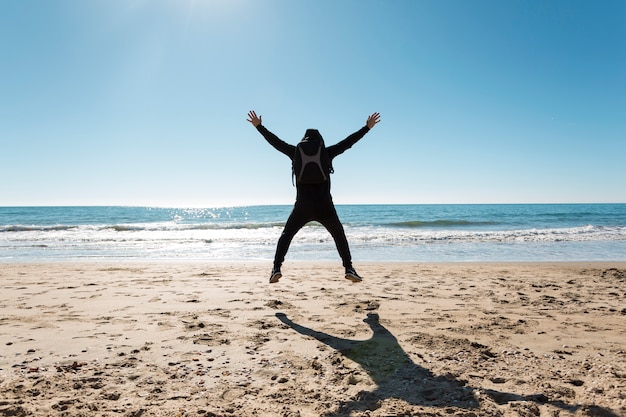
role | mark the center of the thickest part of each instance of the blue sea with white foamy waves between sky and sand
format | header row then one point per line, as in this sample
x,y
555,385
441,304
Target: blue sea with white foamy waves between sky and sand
x,y
422,233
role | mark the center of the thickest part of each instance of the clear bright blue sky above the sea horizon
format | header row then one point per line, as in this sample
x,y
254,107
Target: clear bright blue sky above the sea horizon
x,y
129,102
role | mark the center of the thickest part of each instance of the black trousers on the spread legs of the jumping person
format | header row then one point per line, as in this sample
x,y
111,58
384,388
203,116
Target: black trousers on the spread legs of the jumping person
x,y
324,213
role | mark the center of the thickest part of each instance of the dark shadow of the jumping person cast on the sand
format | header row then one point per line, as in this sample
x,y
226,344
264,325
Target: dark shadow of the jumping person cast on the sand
x,y
396,375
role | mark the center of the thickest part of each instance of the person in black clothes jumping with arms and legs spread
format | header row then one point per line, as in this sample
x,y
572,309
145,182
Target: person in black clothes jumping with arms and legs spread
x,y
313,201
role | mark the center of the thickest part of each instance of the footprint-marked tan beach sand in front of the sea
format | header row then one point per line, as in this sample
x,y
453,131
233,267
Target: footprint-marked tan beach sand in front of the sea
x,y
193,339
